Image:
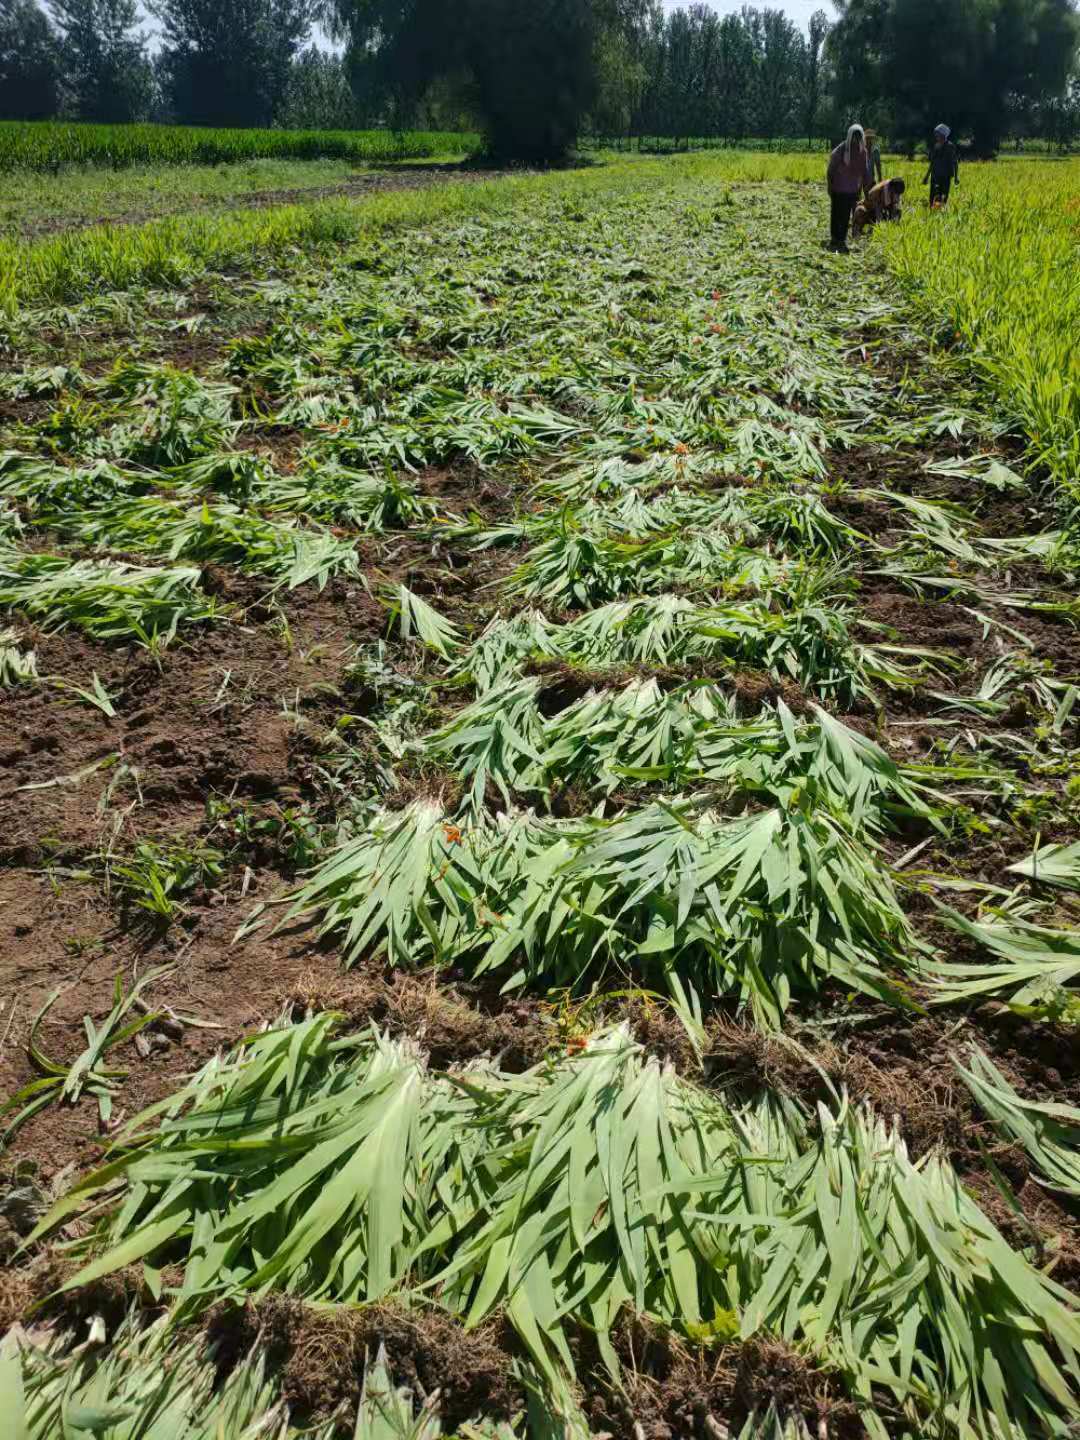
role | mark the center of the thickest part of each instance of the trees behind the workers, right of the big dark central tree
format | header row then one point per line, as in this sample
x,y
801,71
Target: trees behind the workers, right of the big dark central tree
x,y
990,68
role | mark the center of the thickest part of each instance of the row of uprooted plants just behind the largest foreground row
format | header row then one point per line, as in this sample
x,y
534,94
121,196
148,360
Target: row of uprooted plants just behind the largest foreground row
x,y
764,908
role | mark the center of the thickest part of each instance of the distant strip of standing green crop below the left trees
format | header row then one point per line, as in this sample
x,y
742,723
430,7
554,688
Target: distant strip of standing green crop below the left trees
x,y
53,146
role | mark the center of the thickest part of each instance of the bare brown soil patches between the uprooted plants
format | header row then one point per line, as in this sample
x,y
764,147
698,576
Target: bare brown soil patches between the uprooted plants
x,y
237,712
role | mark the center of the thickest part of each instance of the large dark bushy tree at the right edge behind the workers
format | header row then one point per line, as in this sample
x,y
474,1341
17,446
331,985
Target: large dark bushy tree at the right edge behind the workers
x,y
918,63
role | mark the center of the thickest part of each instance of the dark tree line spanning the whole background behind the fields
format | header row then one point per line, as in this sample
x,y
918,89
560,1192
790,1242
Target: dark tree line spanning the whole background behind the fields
x,y
535,76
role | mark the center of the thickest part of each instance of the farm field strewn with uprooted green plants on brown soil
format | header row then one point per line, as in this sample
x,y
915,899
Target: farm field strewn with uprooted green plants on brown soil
x,y
541,731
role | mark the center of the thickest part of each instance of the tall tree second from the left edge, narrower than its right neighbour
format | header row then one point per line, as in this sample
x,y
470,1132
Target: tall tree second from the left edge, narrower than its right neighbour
x,y
106,70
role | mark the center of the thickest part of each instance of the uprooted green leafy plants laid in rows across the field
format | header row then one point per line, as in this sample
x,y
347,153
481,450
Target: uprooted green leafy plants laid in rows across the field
x,y
716,626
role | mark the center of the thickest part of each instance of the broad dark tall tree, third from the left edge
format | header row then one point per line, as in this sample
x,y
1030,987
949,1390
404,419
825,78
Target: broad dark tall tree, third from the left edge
x,y
228,63
